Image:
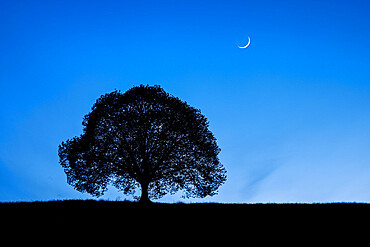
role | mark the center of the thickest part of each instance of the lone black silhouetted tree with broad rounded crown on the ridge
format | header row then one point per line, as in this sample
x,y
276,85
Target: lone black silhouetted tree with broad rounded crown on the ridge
x,y
143,137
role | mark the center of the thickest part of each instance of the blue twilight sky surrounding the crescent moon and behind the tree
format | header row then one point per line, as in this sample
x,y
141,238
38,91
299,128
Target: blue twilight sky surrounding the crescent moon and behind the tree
x,y
291,112
